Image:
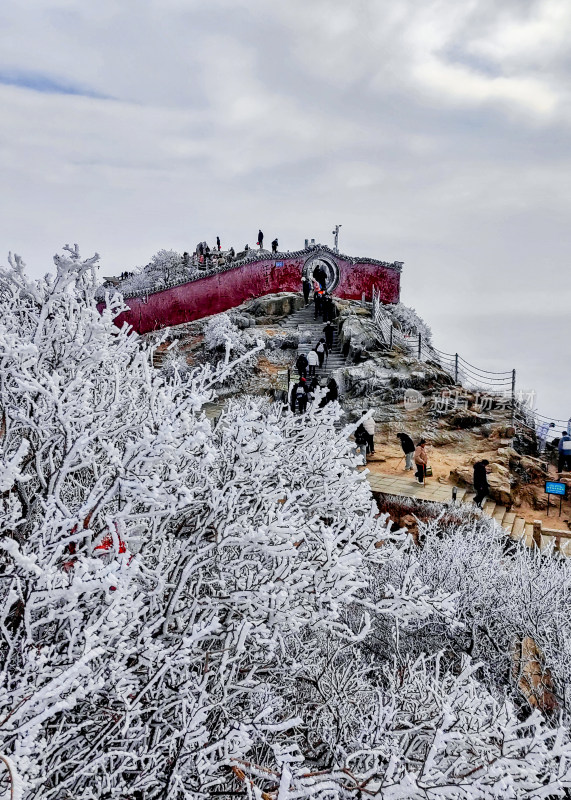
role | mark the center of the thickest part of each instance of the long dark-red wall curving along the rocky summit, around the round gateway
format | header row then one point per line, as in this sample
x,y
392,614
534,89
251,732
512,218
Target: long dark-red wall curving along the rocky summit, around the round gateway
x,y
226,289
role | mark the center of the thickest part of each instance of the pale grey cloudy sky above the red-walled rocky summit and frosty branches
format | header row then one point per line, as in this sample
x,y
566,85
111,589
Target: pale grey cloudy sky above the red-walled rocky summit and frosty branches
x,y
436,131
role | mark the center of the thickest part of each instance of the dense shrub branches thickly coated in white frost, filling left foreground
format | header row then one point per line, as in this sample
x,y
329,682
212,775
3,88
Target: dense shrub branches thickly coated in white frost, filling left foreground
x,y
188,610
